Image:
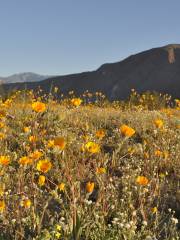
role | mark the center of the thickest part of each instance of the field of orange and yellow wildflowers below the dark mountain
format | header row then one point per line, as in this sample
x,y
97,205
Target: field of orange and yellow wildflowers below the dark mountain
x,y
77,170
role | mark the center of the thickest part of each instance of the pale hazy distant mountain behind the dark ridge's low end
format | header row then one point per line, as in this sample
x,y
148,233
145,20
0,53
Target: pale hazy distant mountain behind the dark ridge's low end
x,y
23,77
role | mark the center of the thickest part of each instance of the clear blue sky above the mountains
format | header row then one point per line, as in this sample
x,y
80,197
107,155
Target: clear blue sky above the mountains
x,y
67,36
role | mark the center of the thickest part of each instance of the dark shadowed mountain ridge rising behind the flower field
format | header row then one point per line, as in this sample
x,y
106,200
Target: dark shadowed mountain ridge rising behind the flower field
x,y
157,70
